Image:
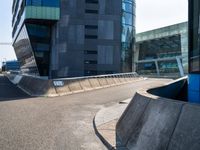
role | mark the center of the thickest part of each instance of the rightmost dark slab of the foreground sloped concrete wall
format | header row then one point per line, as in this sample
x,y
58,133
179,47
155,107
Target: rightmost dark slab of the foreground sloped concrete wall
x,y
187,133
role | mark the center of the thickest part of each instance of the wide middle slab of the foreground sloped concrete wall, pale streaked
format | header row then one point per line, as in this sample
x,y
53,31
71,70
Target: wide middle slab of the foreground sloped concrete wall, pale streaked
x,y
155,128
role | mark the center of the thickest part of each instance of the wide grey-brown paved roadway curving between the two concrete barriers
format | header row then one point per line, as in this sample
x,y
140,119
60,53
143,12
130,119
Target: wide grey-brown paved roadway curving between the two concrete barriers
x,y
60,123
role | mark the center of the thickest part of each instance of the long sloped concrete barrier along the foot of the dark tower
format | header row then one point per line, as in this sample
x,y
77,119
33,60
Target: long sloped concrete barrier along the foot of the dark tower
x,y
36,86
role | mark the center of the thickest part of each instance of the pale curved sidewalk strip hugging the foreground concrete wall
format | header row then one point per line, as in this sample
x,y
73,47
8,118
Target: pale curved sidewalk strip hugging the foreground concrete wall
x,y
105,124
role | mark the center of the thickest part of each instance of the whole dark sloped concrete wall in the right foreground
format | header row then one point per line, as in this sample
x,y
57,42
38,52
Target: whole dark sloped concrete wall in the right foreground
x,y
156,123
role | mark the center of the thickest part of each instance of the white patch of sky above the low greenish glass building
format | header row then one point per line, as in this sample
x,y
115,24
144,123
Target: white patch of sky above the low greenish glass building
x,y
152,14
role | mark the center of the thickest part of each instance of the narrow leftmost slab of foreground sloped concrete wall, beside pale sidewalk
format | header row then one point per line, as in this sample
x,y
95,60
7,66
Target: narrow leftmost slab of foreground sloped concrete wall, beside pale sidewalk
x,y
128,121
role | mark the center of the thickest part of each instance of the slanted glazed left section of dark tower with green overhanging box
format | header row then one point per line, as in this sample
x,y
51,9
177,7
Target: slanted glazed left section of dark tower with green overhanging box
x,y
32,23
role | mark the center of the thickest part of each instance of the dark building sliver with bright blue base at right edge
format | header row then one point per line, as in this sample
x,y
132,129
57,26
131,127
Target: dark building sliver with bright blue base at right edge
x,y
194,51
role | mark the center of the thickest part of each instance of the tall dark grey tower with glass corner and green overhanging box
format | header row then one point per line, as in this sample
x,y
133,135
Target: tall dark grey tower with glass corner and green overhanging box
x,y
69,38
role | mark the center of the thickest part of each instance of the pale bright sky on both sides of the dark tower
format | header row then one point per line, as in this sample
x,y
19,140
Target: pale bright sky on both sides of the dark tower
x,y
150,14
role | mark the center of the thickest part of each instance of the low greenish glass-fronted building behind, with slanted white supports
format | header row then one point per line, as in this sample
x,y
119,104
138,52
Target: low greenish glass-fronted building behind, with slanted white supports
x,y
162,51
